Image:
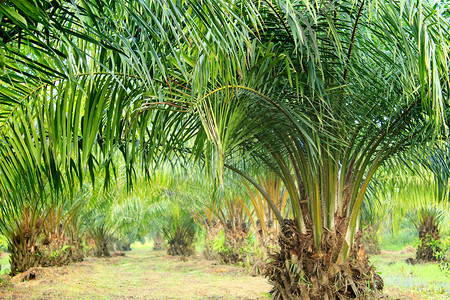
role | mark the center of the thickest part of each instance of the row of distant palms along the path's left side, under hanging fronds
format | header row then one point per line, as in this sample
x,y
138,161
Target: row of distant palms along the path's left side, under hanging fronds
x,y
95,220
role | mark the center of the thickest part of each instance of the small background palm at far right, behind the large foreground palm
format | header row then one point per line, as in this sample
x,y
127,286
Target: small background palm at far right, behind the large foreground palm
x,y
408,189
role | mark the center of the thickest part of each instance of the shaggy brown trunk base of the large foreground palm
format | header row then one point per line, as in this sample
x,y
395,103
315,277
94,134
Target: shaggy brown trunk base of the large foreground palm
x,y
299,271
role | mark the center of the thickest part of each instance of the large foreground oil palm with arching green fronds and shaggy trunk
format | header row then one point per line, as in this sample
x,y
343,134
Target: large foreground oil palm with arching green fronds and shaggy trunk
x,y
327,134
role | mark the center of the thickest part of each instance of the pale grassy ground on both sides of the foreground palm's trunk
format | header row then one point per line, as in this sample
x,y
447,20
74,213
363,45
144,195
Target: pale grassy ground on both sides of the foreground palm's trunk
x,y
148,274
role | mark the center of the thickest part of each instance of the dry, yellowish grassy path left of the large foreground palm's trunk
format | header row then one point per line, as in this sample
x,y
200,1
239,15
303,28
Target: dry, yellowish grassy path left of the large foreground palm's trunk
x,y
142,274
